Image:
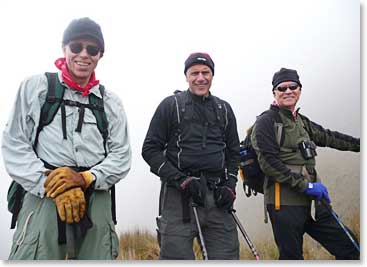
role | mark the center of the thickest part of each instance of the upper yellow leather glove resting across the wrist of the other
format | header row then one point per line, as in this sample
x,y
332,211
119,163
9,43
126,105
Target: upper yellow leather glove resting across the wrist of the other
x,y
64,178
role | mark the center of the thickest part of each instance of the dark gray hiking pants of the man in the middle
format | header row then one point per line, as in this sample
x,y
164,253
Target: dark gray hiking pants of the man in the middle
x,y
218,227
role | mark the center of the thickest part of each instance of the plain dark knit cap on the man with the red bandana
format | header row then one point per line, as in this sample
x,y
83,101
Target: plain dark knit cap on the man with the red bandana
x,y
83,28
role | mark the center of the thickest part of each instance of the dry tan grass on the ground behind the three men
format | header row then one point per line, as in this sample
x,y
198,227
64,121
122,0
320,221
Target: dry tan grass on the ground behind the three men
x,y
142,245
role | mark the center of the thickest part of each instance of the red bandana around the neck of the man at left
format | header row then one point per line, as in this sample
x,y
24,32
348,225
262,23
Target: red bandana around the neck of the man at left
x,y
60,63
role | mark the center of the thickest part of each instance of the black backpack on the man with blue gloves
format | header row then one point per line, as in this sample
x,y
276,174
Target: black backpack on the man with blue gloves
x,y
250,170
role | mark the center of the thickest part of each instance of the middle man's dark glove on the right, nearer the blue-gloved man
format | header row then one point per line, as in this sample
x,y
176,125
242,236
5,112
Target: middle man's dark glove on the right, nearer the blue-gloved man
x,y
225,194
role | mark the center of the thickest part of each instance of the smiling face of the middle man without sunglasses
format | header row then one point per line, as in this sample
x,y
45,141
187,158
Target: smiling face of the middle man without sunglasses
x,y
200,79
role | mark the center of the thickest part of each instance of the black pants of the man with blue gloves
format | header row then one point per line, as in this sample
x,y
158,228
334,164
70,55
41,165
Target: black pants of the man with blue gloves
x,y
291,222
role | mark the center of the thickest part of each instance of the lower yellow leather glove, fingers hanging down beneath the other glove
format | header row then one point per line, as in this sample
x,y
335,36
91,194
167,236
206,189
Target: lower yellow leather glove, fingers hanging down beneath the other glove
x,y
71,205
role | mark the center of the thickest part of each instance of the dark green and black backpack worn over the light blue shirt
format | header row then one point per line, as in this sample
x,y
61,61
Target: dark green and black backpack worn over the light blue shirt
x,y
54,100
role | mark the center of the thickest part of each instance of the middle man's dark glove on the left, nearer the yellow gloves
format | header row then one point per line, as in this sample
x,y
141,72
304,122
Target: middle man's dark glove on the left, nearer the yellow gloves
x,y
192,186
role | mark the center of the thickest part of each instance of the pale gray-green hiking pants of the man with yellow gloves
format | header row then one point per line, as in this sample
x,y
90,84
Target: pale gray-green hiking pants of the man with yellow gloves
x,y
36,236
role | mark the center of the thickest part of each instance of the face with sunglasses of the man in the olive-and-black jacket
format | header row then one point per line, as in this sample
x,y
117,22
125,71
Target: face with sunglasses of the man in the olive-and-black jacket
x,y
285,96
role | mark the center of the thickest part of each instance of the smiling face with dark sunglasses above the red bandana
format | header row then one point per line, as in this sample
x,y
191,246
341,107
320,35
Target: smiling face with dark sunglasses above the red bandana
x,y
82,56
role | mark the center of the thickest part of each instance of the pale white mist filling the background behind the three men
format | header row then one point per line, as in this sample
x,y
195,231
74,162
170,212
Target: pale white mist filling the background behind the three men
x,y
147,43
